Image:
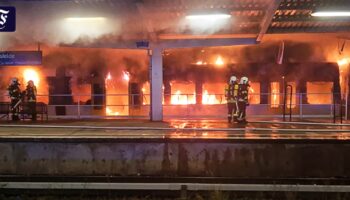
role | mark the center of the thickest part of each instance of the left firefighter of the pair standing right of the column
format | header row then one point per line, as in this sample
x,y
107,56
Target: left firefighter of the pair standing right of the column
x,y
231,92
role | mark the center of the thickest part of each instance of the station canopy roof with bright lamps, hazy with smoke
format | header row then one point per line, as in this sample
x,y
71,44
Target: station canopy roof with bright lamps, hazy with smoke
x,y
79,21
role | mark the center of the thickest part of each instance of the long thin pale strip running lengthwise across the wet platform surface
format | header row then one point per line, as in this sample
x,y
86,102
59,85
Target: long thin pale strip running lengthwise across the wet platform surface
x,y
174,129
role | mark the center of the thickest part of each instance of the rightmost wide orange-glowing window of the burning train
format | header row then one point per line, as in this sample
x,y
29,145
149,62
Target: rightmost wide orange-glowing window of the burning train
x,y
319,92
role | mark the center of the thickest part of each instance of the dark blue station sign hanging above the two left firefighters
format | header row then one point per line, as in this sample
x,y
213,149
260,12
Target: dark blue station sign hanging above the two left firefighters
x,y
17,58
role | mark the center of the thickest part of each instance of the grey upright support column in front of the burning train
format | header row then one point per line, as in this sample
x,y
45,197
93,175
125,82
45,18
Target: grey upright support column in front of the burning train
x,y
156,84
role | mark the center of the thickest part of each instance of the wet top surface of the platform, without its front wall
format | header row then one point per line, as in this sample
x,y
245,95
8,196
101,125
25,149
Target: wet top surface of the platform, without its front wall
x,y
176,129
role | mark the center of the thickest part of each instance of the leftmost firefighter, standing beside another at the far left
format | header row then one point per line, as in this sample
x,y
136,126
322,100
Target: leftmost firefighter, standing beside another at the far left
x,y
15,95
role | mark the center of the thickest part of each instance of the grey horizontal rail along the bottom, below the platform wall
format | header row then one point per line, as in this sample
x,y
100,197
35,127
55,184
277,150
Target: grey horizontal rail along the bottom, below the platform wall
x,y
174,186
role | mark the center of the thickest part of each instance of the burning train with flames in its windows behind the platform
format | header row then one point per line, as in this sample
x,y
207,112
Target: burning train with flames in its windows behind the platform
x,y
91,82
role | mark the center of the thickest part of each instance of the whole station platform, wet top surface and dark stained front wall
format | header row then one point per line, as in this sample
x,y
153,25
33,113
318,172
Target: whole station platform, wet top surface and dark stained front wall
x,y
175,148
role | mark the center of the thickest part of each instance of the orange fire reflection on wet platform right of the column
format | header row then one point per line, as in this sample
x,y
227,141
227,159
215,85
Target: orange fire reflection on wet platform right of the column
x,y
296,131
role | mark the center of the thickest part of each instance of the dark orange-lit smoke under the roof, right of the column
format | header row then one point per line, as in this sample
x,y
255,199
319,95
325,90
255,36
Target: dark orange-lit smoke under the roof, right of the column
x,y
258,61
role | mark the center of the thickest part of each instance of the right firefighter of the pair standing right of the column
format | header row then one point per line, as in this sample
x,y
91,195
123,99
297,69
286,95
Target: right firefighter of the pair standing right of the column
x,y
242,99
